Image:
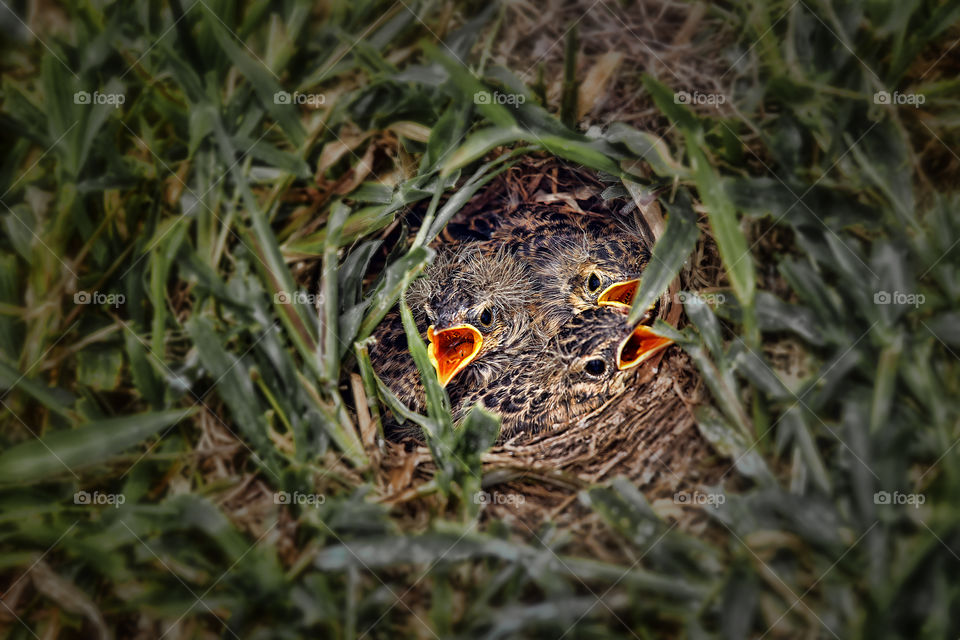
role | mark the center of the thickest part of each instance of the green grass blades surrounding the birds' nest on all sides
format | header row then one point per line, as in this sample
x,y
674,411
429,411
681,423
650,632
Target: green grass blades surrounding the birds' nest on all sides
x,y
162,182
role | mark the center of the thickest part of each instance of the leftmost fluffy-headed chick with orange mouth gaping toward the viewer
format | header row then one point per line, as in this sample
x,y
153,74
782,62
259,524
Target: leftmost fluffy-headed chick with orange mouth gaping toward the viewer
x,y
472,308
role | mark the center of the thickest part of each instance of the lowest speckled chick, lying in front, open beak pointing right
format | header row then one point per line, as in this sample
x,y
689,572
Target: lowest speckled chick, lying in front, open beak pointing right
x,y
589,362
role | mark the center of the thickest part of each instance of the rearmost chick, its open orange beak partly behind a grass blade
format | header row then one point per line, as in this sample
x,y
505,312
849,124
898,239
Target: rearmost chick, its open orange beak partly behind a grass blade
x,y
579,260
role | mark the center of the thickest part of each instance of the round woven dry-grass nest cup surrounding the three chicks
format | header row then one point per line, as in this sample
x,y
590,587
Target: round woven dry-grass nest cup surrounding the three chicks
x,y
647,434
